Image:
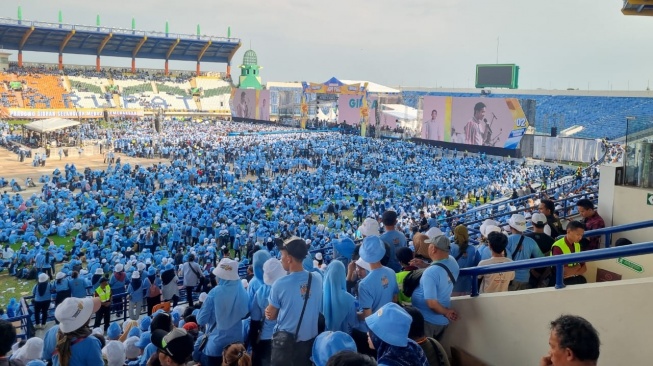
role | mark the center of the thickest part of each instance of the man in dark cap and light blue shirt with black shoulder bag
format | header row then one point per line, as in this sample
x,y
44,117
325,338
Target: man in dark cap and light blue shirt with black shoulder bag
x,y
286,302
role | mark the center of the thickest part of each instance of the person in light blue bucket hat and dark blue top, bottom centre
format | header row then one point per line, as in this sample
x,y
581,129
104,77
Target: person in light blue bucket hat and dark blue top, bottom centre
x,y
388,335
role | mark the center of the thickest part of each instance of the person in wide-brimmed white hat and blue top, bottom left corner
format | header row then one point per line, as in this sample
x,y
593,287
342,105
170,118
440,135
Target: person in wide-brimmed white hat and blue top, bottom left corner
x,y
75,344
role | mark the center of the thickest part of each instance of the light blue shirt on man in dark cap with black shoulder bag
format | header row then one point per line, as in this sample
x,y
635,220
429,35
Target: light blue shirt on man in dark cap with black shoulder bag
x,y
287,295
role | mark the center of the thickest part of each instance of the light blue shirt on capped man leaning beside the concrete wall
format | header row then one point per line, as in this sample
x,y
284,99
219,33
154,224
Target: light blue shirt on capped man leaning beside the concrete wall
x,y
435,284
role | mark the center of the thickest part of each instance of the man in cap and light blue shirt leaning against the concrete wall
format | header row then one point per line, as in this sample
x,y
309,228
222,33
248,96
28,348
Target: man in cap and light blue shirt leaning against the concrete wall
x,y
432,297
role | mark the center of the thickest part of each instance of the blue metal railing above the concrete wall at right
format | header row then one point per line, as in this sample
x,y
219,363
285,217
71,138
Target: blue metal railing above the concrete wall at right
x,y
560,260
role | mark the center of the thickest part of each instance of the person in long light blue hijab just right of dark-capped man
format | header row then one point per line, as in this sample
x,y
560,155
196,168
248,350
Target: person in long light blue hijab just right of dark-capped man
x,y
338,306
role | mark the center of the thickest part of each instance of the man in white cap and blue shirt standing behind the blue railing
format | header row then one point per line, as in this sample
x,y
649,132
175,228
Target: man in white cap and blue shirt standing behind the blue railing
x,y
520,247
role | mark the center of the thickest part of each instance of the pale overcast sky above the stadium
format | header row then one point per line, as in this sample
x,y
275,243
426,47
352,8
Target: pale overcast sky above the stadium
x,y
429,43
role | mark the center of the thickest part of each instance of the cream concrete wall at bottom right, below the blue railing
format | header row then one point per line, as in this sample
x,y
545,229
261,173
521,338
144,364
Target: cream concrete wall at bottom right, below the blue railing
x,y
512,328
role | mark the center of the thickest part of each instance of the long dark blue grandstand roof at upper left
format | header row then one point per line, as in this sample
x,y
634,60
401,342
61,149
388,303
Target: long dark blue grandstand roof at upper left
x,y
115,42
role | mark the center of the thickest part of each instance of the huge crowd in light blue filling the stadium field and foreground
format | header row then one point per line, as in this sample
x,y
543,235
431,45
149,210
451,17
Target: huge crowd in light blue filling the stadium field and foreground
x,y
327,231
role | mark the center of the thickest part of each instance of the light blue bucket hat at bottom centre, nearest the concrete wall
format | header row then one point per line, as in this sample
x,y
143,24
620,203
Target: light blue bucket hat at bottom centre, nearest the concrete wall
x,y
391,323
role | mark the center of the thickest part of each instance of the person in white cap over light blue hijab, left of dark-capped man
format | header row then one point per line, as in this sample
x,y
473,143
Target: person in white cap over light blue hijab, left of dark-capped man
x,y
222,312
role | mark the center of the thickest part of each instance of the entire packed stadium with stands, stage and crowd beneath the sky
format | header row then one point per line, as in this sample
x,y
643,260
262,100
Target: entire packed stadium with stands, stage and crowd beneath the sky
x,y
185,214
